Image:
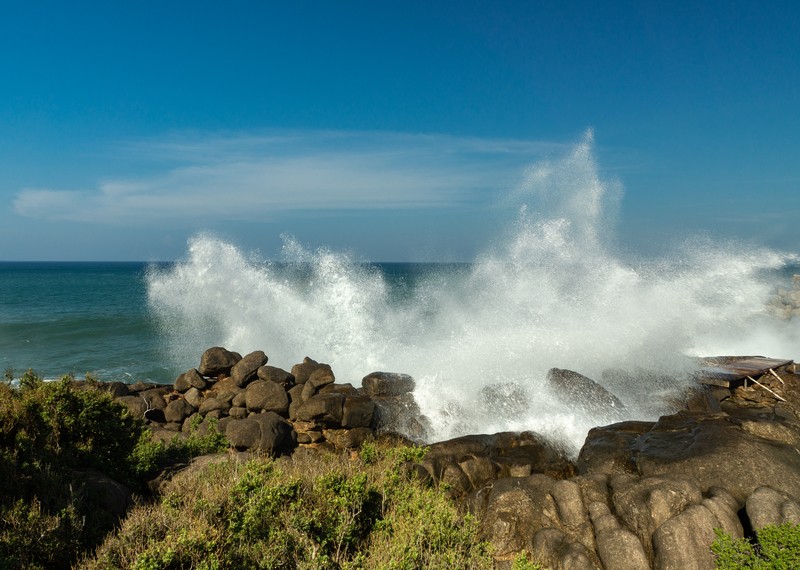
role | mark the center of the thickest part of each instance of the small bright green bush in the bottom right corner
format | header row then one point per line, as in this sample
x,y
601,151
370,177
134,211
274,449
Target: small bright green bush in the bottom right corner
x,y
777,548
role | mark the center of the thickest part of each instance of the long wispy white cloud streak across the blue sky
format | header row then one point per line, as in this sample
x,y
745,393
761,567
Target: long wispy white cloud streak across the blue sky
x,y
255,176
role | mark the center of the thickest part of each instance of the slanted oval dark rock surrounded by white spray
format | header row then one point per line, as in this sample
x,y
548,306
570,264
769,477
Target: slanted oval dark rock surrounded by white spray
x,y
584,394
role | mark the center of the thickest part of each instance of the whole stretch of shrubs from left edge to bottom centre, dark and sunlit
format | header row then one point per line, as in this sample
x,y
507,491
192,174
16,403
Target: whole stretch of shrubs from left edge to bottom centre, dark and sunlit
x,y
314,510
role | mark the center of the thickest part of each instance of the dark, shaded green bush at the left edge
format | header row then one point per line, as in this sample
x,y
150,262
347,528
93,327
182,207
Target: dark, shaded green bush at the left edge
x,y
55,438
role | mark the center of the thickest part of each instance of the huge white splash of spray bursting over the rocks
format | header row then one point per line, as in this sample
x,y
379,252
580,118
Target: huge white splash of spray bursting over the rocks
x,y
480,341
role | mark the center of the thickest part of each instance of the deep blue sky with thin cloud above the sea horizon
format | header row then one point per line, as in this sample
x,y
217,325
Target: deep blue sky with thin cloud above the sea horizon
x,y
392,130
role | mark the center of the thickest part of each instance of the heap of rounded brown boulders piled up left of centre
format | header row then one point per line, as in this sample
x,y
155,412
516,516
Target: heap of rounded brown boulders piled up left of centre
x,y
264,408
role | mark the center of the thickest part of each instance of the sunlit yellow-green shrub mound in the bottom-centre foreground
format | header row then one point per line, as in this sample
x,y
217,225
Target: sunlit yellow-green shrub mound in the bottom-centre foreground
x,y
311,511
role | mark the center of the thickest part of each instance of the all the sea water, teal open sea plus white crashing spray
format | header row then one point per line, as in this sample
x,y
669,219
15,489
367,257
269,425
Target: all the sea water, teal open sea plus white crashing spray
x,y
478,337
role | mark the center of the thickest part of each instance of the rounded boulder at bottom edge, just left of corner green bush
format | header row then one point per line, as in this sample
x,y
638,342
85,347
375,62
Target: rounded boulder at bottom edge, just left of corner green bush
x,y
684,541
